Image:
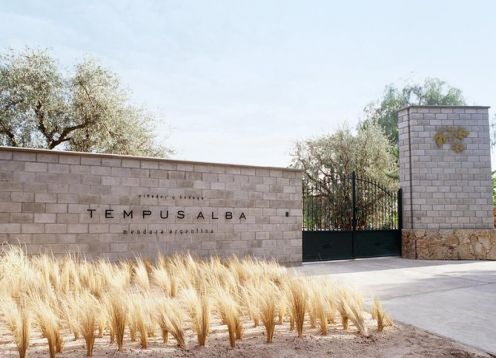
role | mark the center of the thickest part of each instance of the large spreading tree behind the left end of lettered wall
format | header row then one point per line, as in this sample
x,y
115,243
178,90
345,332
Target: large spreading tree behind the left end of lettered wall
x,y
88,110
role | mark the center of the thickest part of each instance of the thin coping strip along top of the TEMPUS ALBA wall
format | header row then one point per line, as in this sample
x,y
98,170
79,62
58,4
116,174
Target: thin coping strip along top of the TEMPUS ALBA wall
x,y
121,156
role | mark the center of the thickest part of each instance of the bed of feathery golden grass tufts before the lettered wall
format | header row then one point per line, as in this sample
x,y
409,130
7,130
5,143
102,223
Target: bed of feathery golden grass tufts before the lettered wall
x,y
173,301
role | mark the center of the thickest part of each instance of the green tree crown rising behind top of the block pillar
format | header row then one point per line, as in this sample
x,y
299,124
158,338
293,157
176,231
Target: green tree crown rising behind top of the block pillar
x,y
432,92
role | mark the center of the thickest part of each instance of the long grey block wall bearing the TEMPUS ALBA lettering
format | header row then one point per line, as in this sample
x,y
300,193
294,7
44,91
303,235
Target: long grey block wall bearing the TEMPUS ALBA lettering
x,y
120,207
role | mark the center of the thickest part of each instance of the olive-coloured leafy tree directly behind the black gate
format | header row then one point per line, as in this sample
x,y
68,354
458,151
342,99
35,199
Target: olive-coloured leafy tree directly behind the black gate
x,y
329,160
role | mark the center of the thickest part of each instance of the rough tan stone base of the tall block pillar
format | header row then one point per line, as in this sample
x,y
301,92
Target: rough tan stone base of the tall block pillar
x,y
443,244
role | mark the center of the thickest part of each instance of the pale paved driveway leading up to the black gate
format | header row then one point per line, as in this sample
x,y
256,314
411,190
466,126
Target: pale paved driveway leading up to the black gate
x,y
455,299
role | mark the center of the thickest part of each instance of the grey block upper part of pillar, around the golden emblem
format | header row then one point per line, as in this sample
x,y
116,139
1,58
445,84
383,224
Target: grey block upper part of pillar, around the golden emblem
x,y
443,189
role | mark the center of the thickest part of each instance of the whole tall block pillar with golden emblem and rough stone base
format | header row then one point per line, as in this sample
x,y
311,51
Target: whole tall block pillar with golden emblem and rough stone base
x,y
445,174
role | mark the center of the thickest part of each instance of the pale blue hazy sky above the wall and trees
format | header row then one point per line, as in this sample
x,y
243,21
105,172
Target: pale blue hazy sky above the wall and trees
x,y
242,81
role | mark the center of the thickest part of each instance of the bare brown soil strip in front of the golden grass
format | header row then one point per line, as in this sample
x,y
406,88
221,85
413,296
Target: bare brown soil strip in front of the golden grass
x,y
398,341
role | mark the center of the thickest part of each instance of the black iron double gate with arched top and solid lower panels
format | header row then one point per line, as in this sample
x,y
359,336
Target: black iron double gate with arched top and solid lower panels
x,y
350,216
